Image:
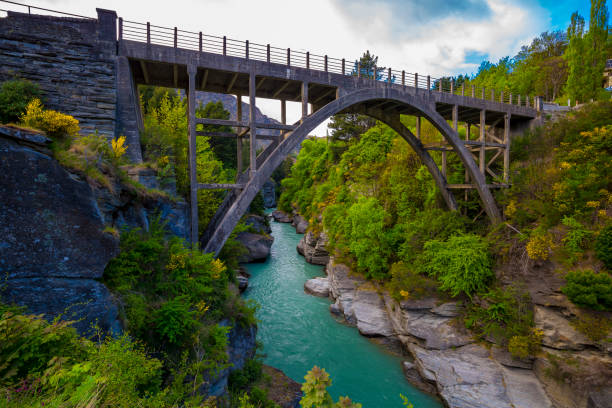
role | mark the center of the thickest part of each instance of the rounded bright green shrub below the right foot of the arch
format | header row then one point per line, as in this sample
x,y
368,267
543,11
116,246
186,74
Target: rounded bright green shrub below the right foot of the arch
x,y
462,264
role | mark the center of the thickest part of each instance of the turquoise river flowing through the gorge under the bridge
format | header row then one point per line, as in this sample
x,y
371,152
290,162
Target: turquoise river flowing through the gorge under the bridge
x,y
298,332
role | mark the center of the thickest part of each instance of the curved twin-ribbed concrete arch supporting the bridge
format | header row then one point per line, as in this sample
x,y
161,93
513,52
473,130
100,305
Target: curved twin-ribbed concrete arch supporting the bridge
x,y
354,101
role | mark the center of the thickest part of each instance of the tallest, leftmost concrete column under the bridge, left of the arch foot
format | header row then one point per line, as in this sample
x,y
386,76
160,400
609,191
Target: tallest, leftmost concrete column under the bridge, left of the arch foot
x,y
193,173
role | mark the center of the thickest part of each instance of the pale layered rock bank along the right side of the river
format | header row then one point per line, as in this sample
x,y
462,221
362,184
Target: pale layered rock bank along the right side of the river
x,y
443,357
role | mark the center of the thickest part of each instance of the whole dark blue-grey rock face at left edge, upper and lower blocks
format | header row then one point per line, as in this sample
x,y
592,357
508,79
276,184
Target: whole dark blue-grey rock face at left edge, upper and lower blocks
x,y
52,241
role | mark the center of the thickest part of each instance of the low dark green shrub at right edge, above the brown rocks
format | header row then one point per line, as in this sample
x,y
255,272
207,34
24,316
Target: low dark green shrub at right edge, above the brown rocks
x,y
589,289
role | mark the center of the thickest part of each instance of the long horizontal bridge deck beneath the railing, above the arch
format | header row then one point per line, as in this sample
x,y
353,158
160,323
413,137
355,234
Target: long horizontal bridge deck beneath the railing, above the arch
x,y
167,66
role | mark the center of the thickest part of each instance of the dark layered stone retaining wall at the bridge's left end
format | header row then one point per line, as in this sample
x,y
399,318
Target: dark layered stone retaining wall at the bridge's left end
x,y
73,60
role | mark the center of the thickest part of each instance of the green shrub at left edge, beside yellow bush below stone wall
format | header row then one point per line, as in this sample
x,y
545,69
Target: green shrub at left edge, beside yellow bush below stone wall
x,y
14,98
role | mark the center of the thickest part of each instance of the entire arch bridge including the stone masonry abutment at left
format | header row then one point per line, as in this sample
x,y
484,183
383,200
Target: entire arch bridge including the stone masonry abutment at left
x,y
128,53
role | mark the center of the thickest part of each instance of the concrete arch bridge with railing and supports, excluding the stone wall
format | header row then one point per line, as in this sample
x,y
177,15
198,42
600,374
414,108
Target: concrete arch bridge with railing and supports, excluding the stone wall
x,y
169,57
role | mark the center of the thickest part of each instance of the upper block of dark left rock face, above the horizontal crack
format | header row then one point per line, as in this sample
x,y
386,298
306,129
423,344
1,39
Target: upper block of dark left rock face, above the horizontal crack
x,y
50,223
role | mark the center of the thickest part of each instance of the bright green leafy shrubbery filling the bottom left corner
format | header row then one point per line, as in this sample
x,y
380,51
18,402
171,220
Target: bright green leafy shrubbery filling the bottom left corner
x,y
48,364
